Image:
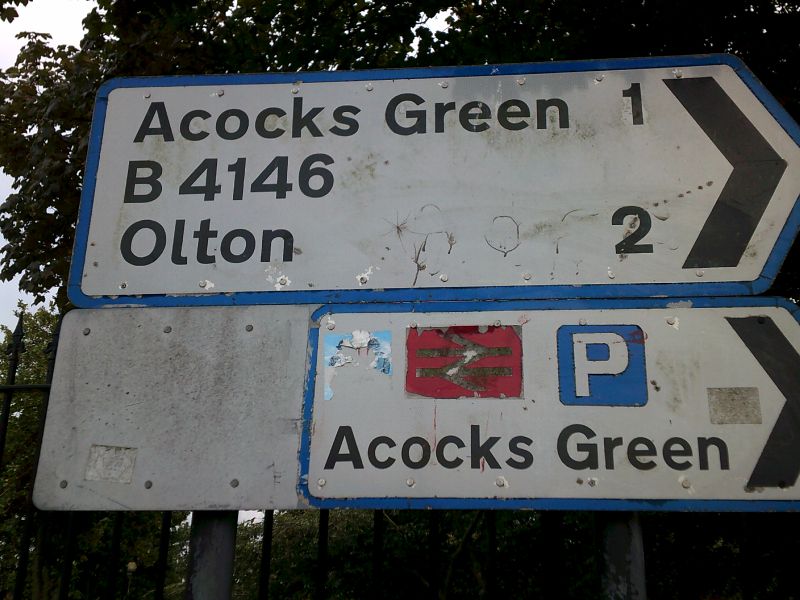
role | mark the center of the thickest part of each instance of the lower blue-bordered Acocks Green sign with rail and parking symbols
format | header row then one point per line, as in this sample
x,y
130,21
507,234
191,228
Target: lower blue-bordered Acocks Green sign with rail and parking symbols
x,y
643,404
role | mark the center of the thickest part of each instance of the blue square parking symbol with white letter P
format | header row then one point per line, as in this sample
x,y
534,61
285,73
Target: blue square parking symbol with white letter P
x,y
601,365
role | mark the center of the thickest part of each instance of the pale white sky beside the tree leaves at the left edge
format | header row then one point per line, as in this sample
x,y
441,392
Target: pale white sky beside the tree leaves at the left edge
x,y
61,19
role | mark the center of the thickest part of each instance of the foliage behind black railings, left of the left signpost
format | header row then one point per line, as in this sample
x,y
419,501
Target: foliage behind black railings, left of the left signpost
x,y
91,574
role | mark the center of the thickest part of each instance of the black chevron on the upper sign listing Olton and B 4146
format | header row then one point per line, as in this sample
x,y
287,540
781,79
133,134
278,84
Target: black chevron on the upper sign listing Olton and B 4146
x,y
757,169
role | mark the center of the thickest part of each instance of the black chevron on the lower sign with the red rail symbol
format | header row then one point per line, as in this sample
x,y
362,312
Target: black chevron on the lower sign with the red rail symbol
x,y
779,463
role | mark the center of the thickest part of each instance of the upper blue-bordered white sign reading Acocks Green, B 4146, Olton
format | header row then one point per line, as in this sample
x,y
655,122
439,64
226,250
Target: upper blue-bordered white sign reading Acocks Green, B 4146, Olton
x,y
616,178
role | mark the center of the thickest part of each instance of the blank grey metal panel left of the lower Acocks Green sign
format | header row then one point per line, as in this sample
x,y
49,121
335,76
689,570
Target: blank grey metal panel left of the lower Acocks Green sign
x,y
175,408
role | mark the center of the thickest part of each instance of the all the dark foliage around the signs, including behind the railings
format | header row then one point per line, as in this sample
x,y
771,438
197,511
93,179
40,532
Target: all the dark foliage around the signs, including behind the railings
x,y
46,102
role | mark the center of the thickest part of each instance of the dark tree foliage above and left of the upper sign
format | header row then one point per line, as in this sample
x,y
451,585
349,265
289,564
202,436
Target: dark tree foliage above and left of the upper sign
x,y
48,95
